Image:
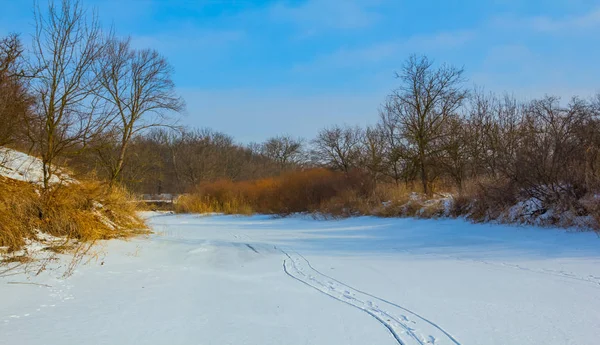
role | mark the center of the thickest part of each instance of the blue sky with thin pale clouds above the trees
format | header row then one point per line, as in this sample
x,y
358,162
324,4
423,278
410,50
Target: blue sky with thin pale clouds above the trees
x,y
255,69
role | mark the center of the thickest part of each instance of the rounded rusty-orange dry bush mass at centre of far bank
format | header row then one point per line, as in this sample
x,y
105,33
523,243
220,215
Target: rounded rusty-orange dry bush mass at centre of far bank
x,y
292,192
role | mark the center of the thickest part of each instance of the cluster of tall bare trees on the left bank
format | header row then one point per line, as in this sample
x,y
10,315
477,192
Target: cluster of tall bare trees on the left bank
x,y
79,88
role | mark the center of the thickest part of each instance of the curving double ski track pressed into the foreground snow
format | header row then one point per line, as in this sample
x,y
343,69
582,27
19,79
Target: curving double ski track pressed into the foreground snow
x,y
406,327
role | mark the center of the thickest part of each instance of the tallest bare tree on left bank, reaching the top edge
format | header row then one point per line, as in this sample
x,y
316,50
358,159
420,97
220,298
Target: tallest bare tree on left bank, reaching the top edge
x,y
66,45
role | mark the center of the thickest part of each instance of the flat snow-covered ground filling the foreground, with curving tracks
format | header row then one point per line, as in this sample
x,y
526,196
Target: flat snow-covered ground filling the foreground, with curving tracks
x,y
235,280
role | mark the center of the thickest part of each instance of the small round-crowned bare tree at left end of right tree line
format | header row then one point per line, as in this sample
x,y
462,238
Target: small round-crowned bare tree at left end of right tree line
x,y
339,147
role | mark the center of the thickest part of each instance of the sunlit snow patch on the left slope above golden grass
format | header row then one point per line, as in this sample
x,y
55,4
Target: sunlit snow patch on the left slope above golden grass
x,y
23,167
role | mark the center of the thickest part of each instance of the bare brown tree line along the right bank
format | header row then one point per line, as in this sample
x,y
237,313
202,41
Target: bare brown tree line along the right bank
x,y
433,130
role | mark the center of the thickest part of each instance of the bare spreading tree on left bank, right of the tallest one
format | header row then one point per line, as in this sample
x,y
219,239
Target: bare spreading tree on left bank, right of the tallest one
x,y
138,85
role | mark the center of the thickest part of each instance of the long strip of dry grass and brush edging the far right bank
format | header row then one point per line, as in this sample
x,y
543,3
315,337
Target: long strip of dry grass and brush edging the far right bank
x,y
329,194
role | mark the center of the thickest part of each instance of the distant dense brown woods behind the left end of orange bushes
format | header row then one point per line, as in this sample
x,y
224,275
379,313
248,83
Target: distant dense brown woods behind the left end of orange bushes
x,y
176,161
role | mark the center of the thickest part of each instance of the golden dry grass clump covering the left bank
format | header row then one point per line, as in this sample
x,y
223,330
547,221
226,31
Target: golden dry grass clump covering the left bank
x,y
82,212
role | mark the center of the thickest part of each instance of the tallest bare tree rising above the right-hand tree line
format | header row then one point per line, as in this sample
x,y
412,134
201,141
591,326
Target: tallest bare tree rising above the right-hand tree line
x,y
422,104
